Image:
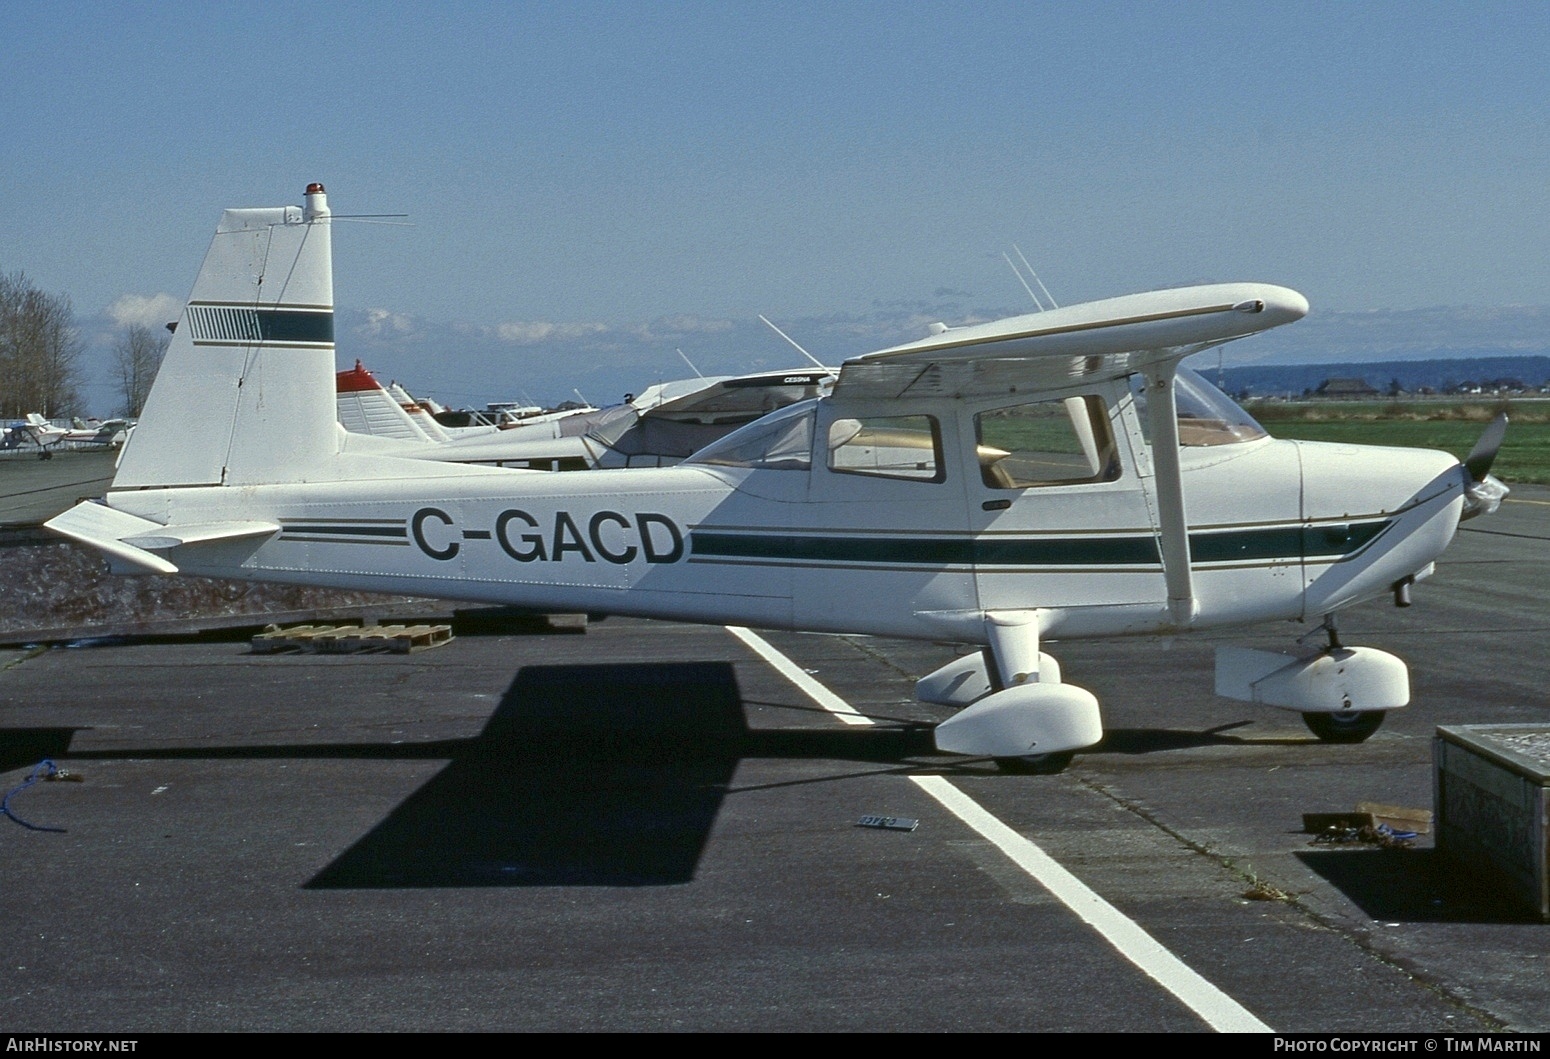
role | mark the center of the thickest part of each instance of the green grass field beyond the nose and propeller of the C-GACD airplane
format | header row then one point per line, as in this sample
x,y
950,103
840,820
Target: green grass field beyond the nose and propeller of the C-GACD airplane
x,y
1453,427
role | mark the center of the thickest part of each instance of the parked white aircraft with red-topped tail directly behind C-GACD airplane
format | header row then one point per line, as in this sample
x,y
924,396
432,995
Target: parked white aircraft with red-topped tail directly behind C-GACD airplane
x,y
663,426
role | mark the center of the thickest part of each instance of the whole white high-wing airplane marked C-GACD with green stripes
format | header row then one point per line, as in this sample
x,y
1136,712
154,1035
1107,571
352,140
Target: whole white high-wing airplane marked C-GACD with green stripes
x,y
1002,486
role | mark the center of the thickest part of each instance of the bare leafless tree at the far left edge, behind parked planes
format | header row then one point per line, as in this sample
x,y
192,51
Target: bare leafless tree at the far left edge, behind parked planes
x,y
40,351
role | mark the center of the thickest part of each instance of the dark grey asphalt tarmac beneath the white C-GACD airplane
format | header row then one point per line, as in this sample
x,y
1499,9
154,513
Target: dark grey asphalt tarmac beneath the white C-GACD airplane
x,y
646,827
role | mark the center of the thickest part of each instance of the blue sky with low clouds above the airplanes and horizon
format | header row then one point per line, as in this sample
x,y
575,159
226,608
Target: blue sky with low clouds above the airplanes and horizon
x,y
577,167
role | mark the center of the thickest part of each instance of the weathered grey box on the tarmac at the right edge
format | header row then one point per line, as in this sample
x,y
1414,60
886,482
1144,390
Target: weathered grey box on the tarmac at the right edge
x,y
1492,790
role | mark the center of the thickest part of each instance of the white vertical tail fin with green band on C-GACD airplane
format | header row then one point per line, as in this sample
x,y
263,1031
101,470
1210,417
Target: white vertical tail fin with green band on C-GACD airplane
x,y
246,392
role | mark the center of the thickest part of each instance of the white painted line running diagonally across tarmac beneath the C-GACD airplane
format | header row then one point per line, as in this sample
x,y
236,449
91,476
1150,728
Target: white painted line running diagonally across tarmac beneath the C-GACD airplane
x,y
1219,1010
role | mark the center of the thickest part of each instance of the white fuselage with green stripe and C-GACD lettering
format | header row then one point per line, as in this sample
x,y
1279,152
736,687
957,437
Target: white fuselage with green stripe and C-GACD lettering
x,y
911,519
